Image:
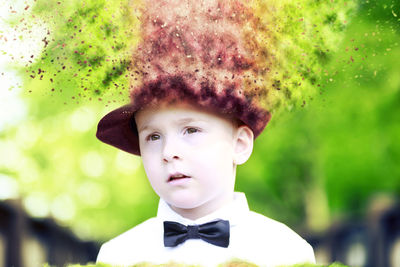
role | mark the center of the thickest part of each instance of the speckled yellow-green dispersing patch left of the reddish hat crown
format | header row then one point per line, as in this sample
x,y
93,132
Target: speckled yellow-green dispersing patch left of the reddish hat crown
x,y
87,49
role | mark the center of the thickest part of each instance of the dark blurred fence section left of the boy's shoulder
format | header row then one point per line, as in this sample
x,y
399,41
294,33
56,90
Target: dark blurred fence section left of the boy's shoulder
x,y
29,242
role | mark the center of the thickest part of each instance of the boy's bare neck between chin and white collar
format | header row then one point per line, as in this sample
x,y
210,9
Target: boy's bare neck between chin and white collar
x,y
205,209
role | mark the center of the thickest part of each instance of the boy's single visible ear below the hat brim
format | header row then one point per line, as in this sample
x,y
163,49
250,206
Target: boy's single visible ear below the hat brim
x,y
243,146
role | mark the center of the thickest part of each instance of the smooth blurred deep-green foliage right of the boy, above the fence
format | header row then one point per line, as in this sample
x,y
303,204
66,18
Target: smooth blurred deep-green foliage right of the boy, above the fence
x,y
332,158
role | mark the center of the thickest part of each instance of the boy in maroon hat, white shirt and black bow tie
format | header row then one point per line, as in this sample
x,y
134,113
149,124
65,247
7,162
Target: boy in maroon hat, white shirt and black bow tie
x,y
193,119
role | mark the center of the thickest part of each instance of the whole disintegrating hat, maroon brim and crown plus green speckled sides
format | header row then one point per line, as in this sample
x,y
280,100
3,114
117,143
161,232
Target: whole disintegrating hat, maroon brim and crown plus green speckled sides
x,y
246,59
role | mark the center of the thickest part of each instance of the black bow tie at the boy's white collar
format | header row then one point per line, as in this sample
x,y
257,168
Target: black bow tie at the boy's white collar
x,y
216,233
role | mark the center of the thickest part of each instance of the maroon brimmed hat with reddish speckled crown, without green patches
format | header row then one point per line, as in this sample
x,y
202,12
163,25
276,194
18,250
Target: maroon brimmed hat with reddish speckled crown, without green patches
x,y
203,52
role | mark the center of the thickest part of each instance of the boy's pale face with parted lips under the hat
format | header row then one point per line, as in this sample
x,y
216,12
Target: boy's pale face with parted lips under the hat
x,y
187,154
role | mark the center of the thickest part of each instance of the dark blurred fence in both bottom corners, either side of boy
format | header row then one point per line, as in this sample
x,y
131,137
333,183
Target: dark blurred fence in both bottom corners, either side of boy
x,y
27,242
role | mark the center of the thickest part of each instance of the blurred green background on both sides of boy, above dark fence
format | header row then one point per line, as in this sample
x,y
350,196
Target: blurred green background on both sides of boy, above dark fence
x,y
311,166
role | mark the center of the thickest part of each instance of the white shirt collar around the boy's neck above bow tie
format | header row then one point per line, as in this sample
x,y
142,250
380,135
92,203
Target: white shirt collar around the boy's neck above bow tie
x,y
233,212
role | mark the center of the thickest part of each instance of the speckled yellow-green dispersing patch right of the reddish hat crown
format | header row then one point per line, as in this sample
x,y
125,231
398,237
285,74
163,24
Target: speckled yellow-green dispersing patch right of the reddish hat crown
x,y
299,39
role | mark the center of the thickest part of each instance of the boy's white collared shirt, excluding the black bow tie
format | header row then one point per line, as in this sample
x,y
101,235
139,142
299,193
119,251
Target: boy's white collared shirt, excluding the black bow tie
x,y
253,238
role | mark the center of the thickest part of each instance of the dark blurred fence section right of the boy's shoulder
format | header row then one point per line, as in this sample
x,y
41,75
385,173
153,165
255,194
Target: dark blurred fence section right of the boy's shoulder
x,y
373,241
